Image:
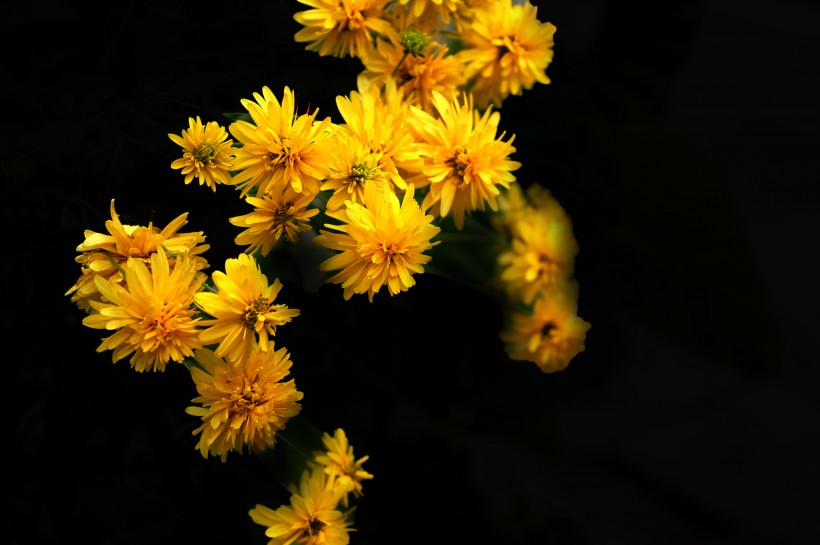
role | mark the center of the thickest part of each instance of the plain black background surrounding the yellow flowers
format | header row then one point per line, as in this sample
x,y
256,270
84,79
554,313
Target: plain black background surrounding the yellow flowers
x,y
682,140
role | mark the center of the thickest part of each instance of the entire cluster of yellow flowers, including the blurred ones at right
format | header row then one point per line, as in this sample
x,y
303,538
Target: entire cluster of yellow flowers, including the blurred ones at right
x,y
417,152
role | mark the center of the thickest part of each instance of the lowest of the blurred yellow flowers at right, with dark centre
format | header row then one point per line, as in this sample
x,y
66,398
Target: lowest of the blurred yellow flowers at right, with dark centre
x,y
551,335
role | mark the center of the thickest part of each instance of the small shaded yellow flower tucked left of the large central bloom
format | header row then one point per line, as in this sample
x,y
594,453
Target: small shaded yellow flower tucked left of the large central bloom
x,y
283,213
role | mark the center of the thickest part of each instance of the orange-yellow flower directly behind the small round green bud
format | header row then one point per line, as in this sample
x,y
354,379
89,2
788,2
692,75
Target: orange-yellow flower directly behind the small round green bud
x,y
417,76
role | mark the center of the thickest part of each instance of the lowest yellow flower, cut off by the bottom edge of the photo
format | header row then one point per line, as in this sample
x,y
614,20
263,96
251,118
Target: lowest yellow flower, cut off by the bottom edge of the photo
x,y
312,518
